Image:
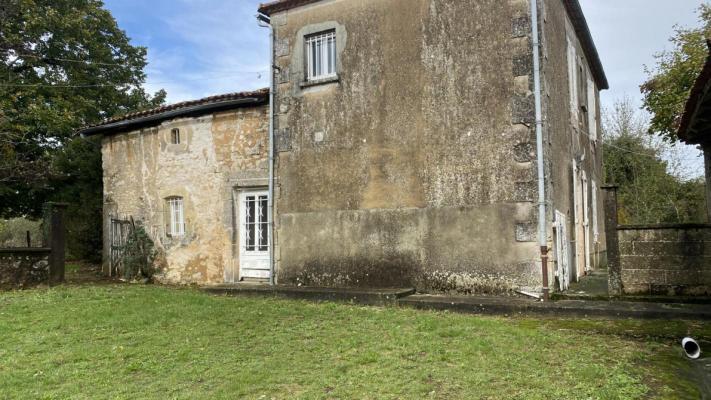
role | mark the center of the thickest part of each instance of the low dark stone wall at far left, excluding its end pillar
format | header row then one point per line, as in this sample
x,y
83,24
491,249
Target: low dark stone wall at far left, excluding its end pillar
x,y
23,267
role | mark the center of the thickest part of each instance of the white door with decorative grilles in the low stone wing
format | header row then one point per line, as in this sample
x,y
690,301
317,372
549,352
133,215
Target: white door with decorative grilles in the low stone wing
x,y
253,234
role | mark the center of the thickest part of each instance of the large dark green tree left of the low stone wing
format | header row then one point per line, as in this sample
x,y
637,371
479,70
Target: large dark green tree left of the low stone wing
x,y
65,64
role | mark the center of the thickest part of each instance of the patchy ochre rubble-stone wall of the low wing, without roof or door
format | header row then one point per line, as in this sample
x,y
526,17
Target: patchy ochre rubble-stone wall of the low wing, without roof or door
x,y
218,154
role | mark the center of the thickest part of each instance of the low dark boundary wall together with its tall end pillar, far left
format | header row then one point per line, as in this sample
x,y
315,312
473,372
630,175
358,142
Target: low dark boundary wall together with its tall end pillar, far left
x,y
24,267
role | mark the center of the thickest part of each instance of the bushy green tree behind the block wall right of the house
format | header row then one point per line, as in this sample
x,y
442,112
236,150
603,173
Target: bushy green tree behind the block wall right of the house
x,y
644,168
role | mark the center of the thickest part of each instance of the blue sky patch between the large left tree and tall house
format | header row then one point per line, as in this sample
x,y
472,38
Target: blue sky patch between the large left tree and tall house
x,y
197,48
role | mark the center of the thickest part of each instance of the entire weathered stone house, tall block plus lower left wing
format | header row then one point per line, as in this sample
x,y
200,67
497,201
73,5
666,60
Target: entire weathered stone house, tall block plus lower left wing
x,y
405,153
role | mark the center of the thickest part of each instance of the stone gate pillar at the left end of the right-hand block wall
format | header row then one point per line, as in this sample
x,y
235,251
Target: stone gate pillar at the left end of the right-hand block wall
x,y
614,278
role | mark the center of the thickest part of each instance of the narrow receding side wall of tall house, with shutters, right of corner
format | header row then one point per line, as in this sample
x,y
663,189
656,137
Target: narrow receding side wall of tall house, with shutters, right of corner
x,y
568,139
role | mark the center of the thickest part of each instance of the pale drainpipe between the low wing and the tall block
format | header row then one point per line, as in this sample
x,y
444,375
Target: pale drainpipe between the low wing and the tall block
x,y
265,22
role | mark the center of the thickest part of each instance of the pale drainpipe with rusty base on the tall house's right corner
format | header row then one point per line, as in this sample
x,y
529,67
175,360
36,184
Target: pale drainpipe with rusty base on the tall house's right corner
x,y
542,228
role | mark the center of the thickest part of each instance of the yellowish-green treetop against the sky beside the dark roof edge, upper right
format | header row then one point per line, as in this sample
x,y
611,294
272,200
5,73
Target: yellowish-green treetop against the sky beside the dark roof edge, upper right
x,y
671,79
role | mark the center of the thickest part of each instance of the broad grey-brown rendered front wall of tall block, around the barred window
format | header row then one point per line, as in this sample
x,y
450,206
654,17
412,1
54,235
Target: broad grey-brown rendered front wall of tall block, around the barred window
x,y
416,167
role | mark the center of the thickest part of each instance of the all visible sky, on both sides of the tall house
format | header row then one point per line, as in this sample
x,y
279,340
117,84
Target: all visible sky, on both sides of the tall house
x,y
198,48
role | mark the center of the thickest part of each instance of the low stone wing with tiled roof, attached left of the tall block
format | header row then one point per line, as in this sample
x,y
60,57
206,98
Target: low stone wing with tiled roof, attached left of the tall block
x,y
179,170
